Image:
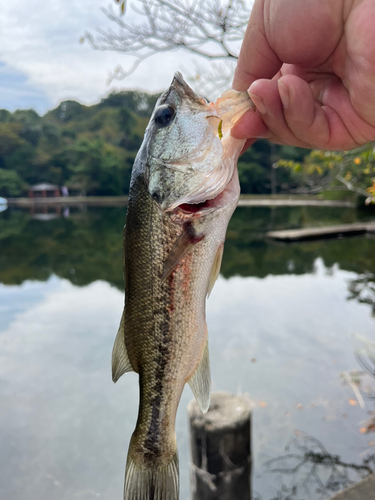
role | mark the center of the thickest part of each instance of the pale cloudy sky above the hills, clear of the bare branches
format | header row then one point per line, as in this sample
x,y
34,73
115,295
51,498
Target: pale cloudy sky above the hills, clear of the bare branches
x,y
42,62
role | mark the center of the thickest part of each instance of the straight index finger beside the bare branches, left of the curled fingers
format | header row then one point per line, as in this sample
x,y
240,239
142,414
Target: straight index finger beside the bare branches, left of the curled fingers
x,y
257,59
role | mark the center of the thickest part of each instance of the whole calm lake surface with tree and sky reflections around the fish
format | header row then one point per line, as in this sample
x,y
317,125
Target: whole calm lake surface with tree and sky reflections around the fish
x,y
281,321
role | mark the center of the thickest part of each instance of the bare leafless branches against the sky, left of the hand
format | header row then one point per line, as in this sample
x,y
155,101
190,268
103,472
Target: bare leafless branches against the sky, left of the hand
x,y
212,30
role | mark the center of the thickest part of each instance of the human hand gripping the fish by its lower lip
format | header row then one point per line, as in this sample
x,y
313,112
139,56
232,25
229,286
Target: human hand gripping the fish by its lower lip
x,y
310,66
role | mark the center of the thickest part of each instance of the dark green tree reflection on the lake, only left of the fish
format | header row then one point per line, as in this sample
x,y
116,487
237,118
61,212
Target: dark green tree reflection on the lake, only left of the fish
x,y
82,249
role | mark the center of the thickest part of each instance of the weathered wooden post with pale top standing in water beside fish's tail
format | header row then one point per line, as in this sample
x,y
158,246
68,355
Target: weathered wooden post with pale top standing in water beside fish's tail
x,y
220,448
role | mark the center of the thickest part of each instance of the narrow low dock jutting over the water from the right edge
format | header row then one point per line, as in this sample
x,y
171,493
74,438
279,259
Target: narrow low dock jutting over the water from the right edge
x,y
315,233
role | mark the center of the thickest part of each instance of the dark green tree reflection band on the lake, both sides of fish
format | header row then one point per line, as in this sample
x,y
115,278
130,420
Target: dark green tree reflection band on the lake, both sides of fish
x,y
88,246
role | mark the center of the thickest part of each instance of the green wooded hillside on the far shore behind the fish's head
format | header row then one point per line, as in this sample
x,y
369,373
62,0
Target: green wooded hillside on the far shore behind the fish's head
x,y
92,149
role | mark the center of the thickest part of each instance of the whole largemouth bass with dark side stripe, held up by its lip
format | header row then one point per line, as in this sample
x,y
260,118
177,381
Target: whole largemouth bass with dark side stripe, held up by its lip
x,y
184,188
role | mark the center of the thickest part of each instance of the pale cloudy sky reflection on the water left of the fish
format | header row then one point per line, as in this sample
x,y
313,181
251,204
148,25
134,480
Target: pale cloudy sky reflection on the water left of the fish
x,y
58,405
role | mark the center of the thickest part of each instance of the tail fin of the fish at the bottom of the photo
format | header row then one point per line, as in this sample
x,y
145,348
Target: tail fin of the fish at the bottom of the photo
x,y
151,483
